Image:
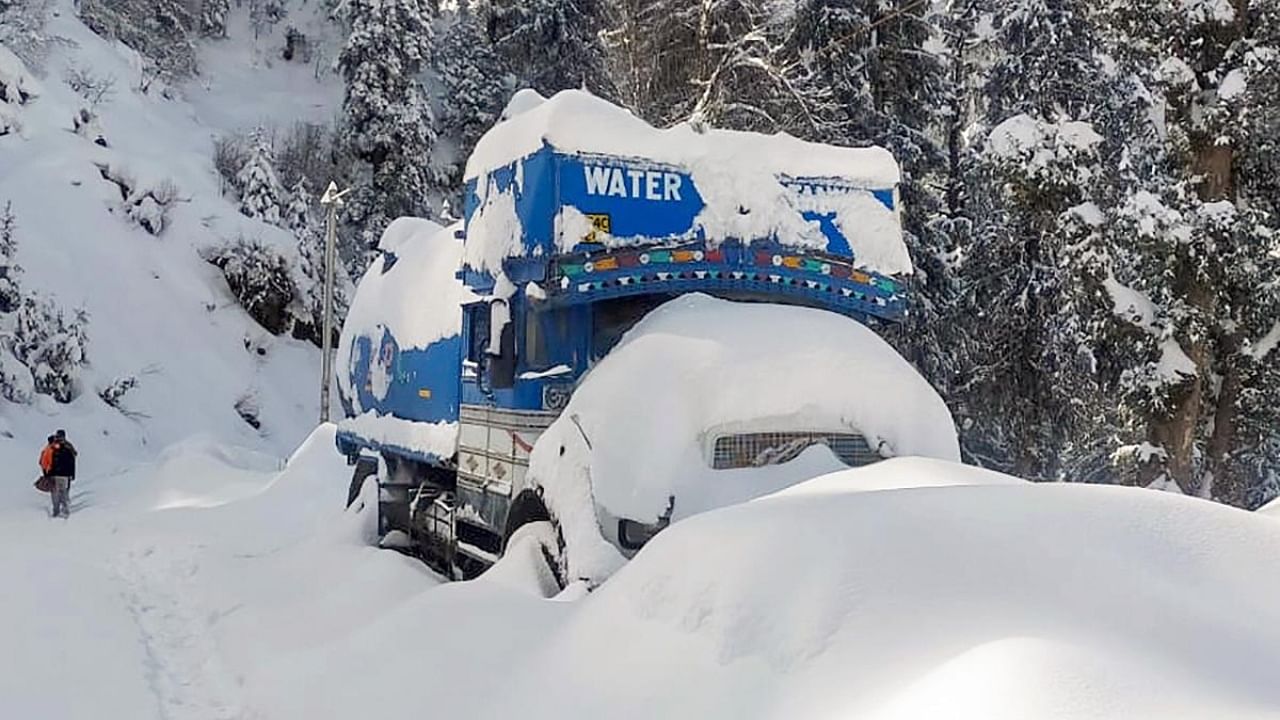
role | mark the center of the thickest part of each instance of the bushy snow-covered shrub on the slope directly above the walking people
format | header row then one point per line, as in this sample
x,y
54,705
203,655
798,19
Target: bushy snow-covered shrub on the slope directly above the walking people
x,y
52,347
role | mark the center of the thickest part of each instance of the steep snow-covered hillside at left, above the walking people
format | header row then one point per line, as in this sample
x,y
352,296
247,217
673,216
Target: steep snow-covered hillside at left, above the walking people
x,y
157,311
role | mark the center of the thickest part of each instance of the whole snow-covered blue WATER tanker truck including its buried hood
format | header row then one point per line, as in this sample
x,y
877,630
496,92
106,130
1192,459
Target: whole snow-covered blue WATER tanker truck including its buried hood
x,y
629,327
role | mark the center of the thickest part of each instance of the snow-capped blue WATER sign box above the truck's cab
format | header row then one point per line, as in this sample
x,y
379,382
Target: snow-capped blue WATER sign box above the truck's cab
x,y
577,171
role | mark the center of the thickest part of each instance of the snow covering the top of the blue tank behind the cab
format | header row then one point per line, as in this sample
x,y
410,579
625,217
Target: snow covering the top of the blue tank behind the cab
x,y
417,297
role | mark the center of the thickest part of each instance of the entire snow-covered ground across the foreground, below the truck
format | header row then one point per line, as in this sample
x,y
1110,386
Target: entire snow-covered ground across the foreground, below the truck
x,y
911,589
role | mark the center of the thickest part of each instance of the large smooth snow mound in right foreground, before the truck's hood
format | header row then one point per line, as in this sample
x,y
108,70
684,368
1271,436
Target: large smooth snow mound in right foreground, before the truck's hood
x,y
996,600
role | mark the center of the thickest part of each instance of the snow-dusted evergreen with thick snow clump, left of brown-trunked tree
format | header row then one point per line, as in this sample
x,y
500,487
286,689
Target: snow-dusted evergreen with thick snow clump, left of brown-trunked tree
x,y
1030,391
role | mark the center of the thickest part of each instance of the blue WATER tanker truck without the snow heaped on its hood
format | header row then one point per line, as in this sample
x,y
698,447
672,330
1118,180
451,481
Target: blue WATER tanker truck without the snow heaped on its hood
x,y
579,222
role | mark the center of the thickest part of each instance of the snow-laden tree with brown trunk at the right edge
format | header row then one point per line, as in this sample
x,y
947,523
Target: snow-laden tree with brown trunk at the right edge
x,y
1205,403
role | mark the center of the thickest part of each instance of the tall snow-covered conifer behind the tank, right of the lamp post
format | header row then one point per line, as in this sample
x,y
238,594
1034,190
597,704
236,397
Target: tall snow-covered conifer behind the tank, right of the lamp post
x,y
387,116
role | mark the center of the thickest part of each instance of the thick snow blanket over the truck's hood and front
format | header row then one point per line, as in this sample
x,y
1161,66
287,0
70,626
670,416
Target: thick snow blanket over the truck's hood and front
x,y
641,425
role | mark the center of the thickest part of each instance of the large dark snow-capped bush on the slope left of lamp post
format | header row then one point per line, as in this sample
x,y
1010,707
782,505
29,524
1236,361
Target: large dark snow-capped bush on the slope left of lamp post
x,y
260,280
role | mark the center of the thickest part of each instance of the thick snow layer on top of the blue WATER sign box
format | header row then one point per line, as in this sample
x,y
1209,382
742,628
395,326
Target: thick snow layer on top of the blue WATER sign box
x,y
578,122
